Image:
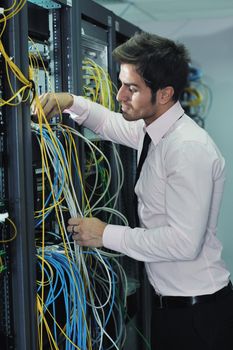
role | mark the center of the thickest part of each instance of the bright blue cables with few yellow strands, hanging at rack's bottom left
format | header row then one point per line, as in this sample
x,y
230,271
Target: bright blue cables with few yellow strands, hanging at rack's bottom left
x,y
65,300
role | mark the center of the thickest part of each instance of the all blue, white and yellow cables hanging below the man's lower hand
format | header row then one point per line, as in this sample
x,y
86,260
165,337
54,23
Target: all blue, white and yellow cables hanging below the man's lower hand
x,y
78,306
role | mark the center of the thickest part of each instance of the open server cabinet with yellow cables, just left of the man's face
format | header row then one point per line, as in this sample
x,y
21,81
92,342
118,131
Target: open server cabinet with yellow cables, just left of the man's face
x,y
93,40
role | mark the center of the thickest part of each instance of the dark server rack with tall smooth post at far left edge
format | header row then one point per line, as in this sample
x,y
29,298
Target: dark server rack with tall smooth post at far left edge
x,y
18,284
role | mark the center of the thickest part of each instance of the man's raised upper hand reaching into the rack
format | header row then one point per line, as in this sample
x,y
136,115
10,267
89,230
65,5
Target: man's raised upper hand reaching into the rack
x,y
55,103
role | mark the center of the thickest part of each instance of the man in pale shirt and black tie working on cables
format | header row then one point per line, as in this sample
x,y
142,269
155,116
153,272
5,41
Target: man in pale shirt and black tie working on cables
x,y
179,192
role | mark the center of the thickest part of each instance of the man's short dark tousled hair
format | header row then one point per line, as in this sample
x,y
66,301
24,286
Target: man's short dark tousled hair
x,y
161,62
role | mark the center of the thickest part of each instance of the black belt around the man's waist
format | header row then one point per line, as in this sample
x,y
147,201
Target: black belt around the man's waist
x,y
162,302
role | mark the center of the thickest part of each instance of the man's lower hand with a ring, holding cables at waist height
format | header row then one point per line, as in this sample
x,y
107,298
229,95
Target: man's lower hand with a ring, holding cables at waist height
x,y
87,232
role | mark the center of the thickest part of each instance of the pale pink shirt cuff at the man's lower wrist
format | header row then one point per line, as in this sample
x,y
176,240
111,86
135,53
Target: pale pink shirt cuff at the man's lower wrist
x,y
113,237
